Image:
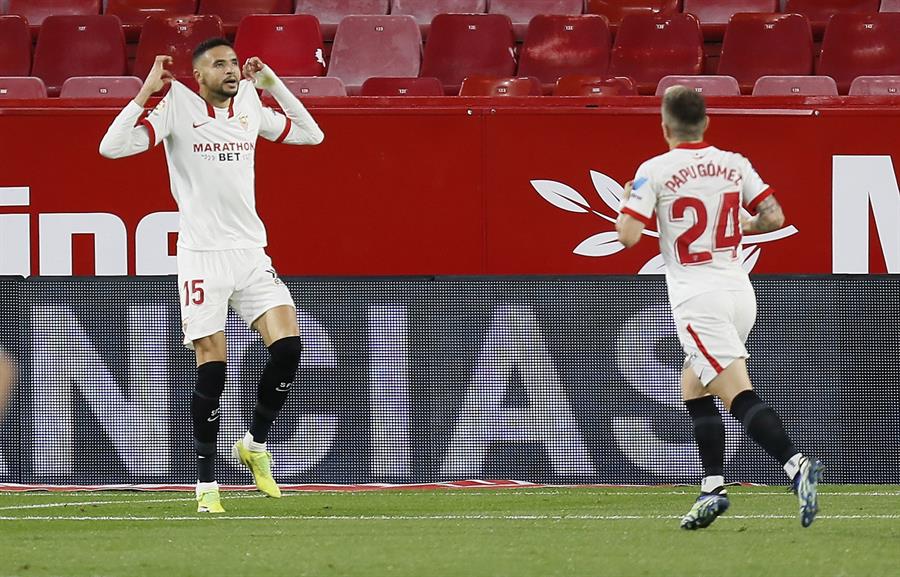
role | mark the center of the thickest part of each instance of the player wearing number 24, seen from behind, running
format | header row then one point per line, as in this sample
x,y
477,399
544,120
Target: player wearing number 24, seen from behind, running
x,y
697,191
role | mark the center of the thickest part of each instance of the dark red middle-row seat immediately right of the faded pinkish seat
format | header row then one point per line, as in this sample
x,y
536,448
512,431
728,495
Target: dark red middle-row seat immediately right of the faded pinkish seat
x,y
468,44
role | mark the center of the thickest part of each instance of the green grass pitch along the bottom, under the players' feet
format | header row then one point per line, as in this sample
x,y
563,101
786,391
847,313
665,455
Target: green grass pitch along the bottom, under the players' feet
x,y
542,531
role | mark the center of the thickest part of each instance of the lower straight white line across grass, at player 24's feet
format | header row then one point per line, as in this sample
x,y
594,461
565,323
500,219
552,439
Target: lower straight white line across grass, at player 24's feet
x,y
423,517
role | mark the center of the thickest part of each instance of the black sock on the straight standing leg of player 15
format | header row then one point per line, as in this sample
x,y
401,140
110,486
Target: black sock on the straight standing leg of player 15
x,y
205,415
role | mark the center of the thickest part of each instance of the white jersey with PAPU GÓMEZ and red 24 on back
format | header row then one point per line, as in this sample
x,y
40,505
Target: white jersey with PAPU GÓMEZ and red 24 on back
x,y
697,192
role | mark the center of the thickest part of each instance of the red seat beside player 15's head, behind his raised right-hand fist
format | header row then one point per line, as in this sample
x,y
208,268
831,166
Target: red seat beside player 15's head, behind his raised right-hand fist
x,y
290,43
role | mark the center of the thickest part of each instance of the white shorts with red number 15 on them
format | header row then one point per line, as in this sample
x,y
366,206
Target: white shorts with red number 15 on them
x,y
210,281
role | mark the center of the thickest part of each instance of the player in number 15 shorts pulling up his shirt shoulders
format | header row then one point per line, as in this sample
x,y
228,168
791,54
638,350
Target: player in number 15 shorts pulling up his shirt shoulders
x,y
210,142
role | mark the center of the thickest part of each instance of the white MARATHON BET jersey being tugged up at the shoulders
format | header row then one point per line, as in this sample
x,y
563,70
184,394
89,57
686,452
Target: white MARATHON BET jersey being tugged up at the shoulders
x,y
210,153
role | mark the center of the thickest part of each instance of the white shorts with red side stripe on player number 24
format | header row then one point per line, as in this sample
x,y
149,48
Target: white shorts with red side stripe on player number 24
x,y
713,328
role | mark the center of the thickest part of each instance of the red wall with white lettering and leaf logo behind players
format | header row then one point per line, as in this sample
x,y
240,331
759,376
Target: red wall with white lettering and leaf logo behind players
x,y
448,189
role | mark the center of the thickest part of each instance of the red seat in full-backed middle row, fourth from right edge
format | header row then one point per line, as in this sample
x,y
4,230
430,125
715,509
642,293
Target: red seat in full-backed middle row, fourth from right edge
x,y
565,45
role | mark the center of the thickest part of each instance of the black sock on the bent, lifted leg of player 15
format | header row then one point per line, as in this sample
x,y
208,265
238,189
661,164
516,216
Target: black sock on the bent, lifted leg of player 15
x,y
274,385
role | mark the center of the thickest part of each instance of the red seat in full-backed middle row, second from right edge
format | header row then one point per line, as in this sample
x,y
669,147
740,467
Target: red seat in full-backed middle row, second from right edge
x,y
766,45
